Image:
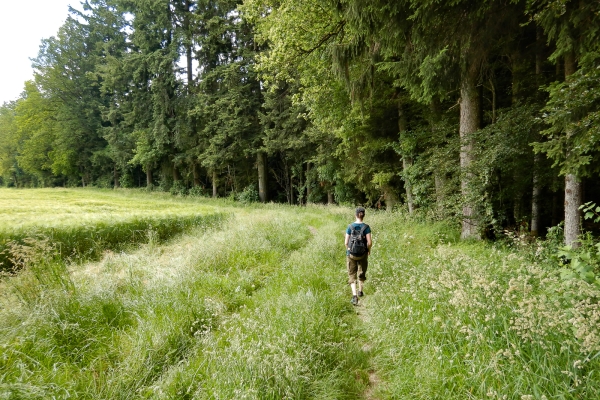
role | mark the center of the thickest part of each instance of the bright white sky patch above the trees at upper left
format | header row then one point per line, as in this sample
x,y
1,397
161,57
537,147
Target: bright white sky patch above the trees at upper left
x,y
23,24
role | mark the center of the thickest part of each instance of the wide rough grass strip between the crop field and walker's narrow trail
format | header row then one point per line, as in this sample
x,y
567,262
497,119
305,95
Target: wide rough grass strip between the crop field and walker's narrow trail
x,y
254,309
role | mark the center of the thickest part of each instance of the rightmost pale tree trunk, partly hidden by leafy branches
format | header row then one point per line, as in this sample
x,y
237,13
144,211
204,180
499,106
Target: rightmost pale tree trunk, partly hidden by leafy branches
x,y
572,184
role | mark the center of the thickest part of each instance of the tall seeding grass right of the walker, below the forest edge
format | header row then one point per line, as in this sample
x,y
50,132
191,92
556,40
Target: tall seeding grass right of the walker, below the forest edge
x,y
460,320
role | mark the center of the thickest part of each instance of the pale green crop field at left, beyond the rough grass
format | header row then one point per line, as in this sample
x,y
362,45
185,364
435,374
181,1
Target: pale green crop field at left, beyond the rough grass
x,y
82,224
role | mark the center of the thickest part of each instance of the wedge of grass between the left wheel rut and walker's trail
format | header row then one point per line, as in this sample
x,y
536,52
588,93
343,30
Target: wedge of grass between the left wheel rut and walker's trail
x,y
291,341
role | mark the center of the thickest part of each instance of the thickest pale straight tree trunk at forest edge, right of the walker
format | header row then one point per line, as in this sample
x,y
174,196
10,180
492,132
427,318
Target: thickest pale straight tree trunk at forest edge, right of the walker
x,y
469,123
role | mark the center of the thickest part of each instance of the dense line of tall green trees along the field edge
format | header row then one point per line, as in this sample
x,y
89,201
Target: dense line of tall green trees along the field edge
x,y
485,111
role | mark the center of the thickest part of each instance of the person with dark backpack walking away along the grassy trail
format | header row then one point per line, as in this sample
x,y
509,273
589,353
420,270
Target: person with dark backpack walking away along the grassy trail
x,y
358,248
